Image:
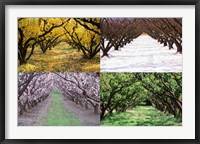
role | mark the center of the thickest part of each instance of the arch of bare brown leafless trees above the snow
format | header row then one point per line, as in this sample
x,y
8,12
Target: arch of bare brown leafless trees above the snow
x,y
118,32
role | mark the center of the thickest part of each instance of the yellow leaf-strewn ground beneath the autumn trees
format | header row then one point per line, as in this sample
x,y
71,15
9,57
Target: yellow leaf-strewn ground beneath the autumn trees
x,y
61,58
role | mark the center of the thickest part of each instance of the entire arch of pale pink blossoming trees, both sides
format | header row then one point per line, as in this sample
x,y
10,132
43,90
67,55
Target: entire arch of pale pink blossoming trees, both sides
x,y
80,88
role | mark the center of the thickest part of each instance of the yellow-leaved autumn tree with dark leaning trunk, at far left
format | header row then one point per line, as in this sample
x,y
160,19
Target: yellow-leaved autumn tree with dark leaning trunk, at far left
x,y
32,31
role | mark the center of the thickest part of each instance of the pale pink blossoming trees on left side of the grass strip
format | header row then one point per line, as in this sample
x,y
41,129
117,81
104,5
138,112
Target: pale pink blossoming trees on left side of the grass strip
x,y
31,90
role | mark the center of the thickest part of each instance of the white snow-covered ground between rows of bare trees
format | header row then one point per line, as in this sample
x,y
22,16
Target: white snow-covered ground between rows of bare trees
x,y
144,54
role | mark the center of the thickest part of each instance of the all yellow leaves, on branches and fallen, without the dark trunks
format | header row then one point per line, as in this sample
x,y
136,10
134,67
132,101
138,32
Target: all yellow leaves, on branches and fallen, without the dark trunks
x,y
62,58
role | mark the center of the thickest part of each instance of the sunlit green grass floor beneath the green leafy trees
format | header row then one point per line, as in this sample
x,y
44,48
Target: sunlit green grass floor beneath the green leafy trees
x,y
141,116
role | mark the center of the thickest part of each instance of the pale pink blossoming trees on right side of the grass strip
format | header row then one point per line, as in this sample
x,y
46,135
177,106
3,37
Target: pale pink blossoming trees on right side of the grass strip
x,y
81,88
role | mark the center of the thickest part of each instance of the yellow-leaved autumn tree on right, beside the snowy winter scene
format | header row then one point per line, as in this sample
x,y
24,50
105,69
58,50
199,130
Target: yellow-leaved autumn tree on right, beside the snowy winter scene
x,y
84,35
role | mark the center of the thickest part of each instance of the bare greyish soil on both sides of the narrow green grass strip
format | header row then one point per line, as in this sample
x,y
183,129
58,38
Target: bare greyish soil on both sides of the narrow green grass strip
x,y
35,116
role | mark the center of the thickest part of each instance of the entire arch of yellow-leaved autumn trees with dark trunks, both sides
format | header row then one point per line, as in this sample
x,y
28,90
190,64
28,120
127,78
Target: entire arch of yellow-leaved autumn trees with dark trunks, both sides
x,y
82,34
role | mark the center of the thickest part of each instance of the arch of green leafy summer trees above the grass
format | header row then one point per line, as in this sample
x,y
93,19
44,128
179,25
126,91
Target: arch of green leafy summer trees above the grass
x,y
124,91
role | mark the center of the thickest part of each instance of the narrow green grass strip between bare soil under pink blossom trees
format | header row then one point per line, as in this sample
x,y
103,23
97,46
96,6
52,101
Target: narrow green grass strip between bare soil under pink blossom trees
x,y
58,115
